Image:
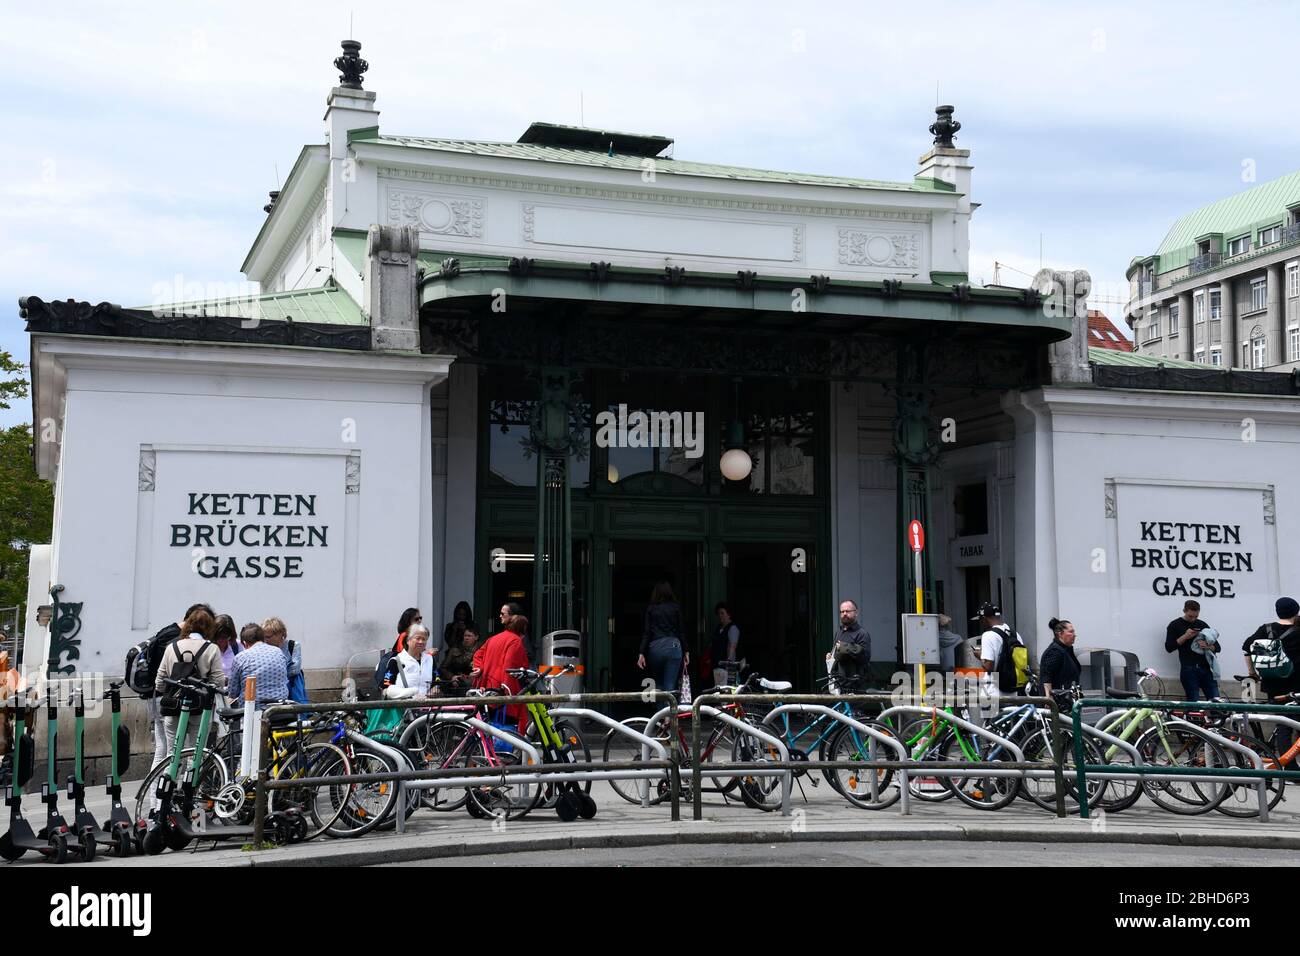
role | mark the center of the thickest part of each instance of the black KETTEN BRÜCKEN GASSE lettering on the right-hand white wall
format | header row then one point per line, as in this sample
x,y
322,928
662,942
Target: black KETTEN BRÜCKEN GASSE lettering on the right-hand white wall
x,y
1191,559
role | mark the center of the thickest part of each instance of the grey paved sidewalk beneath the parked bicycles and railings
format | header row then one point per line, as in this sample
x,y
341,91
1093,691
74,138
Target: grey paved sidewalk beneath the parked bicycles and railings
x,y
822,817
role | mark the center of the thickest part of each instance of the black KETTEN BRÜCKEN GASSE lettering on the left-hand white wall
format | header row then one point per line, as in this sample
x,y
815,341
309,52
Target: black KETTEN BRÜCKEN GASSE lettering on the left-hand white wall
x,y
280,527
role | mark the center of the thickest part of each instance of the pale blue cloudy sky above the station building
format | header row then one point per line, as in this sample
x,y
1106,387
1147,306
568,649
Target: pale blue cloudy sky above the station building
x,y
144,137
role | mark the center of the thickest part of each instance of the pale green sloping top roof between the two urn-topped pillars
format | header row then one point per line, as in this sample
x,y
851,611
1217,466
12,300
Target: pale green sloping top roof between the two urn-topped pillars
x,y
662,165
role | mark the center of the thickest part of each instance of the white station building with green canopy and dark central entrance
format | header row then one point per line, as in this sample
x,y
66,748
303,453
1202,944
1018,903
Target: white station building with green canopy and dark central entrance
x,y
406,417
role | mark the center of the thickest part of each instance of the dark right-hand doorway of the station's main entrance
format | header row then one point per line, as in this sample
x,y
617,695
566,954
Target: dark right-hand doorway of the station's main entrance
x,y
770,595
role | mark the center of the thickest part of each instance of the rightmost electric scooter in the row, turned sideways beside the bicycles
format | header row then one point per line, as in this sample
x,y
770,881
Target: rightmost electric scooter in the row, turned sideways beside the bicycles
x,y
171,824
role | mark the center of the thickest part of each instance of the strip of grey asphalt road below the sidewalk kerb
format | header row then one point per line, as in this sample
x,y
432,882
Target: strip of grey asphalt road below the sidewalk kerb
x,y
887,854
